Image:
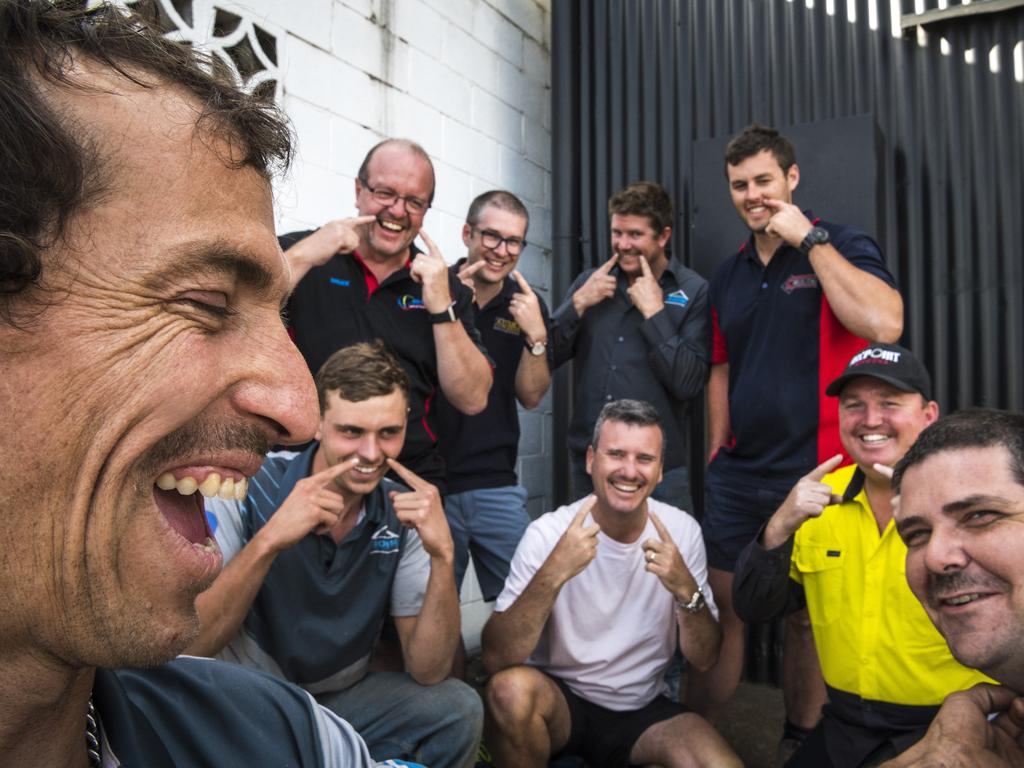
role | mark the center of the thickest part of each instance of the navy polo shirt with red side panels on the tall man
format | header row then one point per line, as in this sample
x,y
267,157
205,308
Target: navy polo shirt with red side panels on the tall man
x,y
784,345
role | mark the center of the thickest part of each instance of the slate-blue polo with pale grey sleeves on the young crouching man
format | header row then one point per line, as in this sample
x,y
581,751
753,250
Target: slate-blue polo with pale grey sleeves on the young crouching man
x,y
322,606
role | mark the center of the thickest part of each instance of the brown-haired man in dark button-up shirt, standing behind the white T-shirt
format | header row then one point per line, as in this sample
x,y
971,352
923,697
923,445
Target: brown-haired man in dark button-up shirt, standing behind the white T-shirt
x,y
637,327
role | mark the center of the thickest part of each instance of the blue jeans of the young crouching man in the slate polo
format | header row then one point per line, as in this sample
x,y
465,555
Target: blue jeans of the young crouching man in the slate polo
x,y
437,726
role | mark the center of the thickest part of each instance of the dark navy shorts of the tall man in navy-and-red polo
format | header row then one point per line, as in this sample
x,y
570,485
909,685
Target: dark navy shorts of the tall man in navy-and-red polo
x,y
735,514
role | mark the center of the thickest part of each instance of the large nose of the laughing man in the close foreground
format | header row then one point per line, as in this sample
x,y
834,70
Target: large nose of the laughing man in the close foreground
x,y
277,387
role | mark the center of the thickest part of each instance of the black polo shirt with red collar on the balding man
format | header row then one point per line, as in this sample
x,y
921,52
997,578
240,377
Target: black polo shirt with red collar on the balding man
x,y
340,304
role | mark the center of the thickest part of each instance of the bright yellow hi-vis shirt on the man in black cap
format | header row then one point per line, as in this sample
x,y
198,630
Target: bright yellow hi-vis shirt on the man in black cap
x,y
873,636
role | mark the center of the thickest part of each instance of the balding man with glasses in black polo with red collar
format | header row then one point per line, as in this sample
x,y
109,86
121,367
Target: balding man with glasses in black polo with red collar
x,y
363,279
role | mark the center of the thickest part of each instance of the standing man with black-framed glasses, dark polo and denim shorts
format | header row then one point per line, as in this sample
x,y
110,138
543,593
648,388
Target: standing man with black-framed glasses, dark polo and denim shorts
x,y
486,506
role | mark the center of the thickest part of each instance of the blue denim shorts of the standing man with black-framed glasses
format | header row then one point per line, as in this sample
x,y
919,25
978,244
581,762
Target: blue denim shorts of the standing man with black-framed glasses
x,y
489,524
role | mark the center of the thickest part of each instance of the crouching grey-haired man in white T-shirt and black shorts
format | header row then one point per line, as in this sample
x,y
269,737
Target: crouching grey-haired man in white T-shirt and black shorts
x,y
596,599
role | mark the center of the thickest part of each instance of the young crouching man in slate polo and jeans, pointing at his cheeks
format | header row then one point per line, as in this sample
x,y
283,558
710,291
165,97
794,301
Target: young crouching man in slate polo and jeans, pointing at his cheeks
x,y
323,548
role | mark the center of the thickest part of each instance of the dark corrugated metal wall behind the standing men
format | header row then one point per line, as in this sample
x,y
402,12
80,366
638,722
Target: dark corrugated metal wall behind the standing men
x,y
637,82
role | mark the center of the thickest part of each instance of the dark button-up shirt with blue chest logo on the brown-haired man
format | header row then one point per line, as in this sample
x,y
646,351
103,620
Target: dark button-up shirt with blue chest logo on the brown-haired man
x,y
663,361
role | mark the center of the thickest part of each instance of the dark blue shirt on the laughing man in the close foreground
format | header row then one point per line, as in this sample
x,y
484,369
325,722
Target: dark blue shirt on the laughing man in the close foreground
x,y
193,712
